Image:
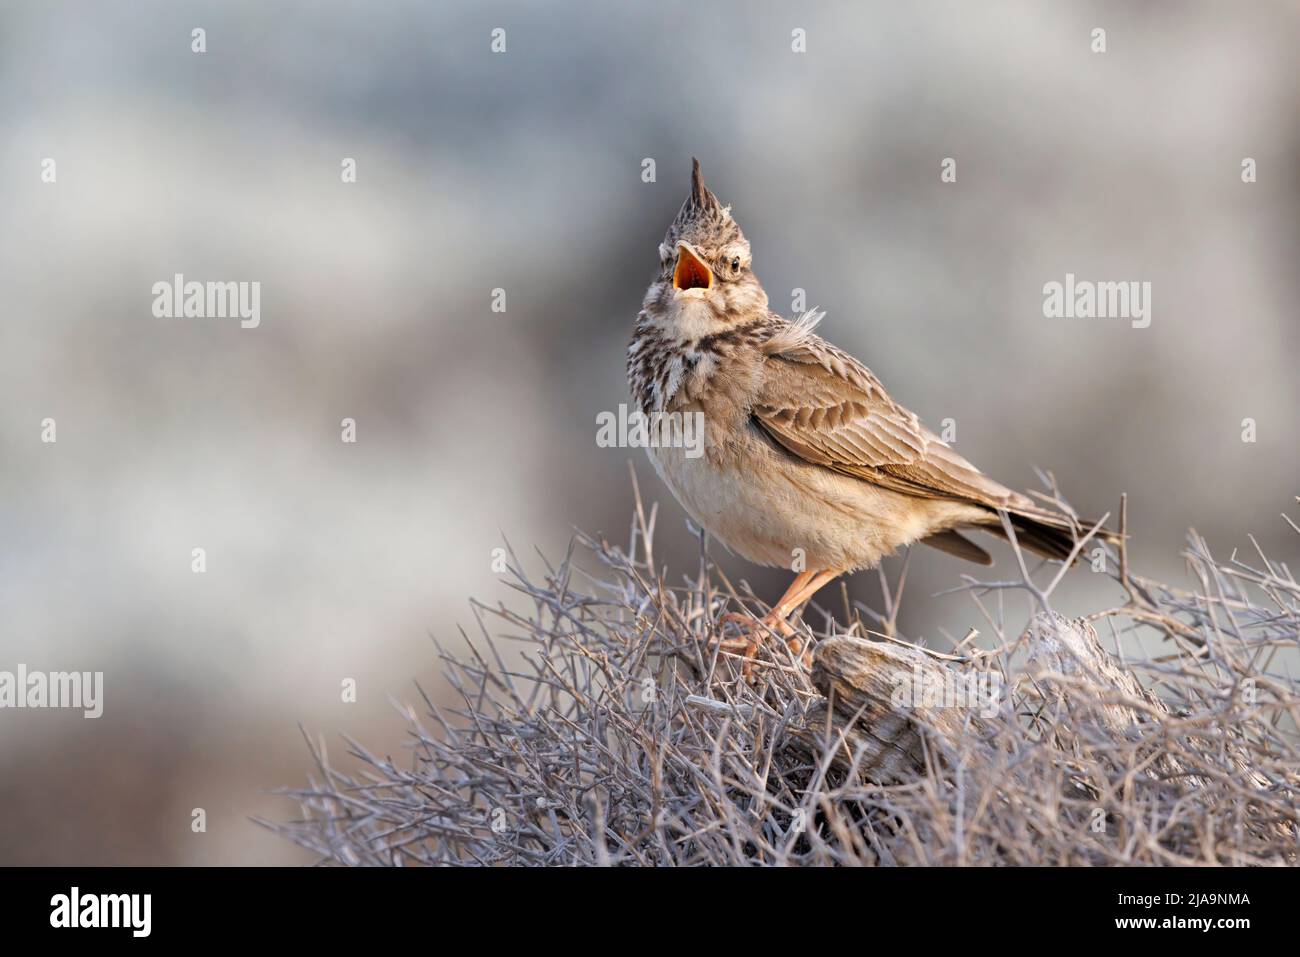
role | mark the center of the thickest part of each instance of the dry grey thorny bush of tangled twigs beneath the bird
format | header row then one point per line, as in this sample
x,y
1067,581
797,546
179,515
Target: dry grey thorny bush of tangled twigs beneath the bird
x,y
605,726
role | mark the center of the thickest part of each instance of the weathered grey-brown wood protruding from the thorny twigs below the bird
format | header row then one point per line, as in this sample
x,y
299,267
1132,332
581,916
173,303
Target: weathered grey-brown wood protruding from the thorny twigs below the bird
x,y
886,721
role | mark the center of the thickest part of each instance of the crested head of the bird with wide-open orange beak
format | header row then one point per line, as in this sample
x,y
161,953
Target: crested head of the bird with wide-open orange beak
x,y
705,282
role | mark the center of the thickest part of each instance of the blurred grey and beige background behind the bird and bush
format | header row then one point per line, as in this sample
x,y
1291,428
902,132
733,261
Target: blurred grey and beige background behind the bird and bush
x,y
523,171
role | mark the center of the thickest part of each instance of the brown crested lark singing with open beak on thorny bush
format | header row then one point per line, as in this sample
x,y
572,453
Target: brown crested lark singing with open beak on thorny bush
x,y
808,464
